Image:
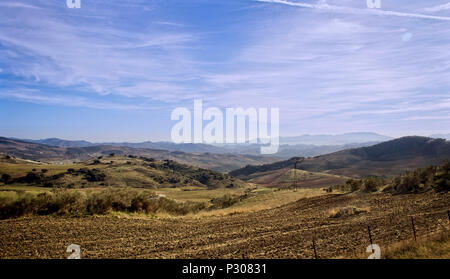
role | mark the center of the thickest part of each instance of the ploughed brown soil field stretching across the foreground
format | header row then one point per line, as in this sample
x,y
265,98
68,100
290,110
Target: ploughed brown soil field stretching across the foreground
x,y
284,232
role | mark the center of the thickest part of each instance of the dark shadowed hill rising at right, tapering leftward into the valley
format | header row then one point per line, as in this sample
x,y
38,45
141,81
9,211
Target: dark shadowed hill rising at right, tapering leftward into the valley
x,y
387,158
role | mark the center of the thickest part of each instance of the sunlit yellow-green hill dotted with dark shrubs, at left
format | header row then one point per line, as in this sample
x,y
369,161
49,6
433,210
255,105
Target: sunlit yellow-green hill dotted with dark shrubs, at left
x,y
116,171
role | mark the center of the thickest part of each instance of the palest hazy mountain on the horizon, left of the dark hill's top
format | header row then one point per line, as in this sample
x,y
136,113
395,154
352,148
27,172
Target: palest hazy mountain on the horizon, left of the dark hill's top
x,y
341,139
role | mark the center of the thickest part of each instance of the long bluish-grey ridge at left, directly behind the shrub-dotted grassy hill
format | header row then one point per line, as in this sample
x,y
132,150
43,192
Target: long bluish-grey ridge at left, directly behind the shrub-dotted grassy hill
x,y
46,153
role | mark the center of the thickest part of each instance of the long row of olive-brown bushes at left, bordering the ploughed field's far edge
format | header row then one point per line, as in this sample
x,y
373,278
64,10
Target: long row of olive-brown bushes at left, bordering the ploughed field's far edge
x,y
71,202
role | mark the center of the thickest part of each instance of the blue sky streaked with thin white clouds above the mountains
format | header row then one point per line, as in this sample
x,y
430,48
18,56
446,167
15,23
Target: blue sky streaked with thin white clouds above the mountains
x,y
115,70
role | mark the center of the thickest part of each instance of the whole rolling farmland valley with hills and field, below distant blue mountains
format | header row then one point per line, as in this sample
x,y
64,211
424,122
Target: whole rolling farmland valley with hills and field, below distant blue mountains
x,y
120,205
